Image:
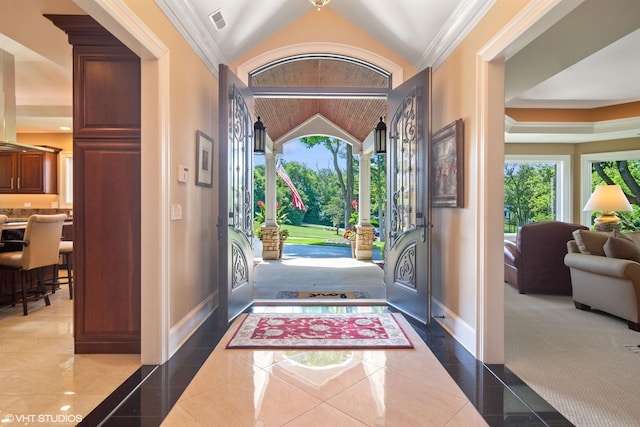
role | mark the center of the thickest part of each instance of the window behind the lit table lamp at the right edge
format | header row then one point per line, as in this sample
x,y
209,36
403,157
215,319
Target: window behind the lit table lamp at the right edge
x,y
622,168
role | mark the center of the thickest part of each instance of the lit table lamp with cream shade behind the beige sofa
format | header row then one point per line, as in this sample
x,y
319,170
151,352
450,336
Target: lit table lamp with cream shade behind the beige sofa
x,y
607,198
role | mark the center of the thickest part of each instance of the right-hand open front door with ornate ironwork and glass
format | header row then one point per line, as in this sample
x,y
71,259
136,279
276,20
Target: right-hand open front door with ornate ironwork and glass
x,y
407,264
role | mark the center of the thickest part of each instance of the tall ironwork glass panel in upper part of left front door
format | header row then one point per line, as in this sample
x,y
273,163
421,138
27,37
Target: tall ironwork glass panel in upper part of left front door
x,y
241,180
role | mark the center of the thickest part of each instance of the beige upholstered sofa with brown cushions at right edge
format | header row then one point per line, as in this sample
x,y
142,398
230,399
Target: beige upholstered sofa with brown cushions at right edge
x,y
605,273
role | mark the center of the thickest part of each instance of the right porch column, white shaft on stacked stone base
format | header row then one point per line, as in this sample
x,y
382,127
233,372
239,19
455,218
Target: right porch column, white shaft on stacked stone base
x,y
365,236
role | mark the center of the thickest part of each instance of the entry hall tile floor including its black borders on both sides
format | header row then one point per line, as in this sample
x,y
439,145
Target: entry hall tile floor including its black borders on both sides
x,y
207,387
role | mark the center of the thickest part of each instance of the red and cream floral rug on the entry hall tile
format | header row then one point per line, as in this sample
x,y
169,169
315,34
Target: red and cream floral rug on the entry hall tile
x,y
319,331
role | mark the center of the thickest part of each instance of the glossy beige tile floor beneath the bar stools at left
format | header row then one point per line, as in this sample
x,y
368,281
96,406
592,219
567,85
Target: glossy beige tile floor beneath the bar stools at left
x,y
42,382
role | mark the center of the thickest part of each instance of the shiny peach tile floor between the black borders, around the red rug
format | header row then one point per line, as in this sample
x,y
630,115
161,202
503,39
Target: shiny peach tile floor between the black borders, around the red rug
x,y
401,387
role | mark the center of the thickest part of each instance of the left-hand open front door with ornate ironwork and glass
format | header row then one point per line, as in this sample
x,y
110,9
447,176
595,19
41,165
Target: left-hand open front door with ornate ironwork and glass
x,y
235,223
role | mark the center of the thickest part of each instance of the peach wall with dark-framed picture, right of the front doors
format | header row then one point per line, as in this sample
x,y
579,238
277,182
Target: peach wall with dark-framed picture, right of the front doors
x,y
454,271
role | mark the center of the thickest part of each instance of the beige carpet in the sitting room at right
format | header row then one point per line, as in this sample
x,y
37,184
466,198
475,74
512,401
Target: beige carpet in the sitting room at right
x,y
585,364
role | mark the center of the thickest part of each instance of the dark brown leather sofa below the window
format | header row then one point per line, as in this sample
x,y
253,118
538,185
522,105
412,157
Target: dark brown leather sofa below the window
x,y
534,263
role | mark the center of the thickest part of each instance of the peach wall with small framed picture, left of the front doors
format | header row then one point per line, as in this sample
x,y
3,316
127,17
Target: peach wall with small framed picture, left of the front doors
x,y
194,106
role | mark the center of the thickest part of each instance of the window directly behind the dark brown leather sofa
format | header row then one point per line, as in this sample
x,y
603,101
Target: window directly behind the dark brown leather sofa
x,y
536,188
